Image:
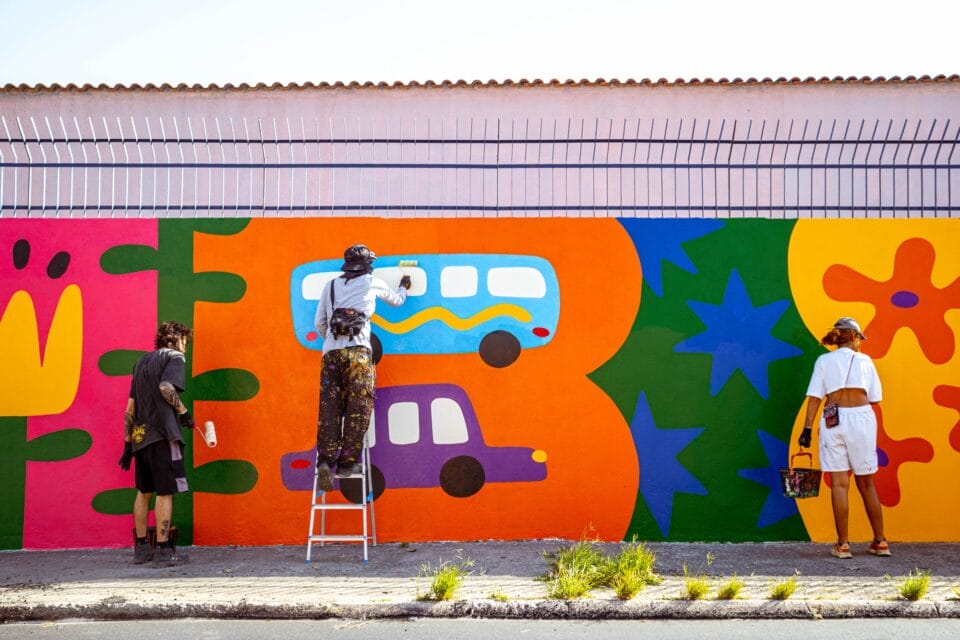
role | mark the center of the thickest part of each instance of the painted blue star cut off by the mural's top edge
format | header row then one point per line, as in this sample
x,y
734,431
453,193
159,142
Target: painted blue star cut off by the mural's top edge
x,y
659,241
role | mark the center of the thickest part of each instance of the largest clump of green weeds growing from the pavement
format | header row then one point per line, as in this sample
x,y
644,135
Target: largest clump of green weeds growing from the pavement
x,y
576,569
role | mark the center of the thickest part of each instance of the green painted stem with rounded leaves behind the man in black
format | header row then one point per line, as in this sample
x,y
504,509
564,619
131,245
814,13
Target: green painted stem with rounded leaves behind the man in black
x,y
179,288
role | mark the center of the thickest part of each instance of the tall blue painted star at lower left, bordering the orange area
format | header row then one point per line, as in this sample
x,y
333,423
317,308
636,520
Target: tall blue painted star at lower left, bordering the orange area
x,y
661,475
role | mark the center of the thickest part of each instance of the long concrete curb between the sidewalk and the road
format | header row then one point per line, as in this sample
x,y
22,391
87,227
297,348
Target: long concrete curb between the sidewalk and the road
x,y
534,610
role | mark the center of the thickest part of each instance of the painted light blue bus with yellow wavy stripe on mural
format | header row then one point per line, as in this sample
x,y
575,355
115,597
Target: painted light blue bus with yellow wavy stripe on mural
x,y
493,304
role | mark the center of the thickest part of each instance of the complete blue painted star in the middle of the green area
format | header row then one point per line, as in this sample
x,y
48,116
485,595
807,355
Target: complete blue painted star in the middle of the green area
x,y
738,337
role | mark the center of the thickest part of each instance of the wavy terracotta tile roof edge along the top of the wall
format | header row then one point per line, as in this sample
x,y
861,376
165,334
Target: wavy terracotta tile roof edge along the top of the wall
x,y
599,82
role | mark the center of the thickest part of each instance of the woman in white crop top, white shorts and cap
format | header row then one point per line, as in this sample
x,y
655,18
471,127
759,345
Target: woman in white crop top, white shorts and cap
x,y
848,381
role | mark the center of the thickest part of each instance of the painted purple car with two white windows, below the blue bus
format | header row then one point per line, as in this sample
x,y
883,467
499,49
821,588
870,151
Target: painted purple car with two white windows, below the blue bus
x,y
426,436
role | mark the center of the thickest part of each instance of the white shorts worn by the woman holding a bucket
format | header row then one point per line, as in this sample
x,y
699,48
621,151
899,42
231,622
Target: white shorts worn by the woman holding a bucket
x,y
852,444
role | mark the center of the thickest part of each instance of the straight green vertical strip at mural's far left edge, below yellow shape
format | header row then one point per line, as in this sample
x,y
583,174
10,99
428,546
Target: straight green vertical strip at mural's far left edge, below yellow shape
x,y
13,476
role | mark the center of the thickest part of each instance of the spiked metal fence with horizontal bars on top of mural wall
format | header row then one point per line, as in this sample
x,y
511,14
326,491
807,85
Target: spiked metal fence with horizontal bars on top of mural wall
x,y
64,166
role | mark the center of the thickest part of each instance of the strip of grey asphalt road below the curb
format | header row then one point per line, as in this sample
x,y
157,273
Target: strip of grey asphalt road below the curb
x,y
445,629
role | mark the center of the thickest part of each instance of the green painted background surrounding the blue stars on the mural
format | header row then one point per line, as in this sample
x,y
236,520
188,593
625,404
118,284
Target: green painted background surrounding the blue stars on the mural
x,y
677,385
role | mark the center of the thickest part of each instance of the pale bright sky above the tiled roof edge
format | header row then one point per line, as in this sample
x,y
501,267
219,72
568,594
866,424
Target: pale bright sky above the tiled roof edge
x,y
220,41
